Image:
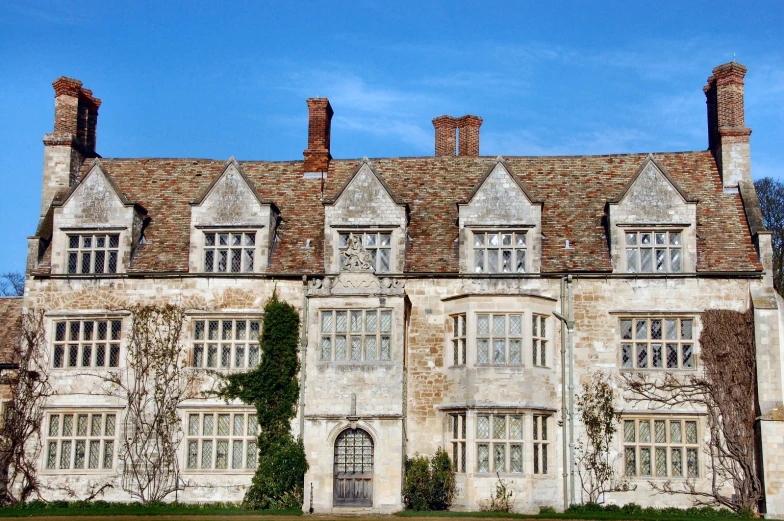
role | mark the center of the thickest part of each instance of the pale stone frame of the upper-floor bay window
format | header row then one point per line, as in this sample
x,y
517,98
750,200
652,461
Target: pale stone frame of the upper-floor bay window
x,y
472,305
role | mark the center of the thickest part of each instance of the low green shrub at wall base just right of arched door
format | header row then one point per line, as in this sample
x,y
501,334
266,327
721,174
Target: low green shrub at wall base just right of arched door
x,y
429,484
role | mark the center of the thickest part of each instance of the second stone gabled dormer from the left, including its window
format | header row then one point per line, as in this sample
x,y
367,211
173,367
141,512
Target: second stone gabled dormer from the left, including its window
x,y
232,227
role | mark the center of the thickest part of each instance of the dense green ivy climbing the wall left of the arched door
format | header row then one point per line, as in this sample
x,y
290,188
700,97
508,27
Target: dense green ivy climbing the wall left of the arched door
x,y
273,389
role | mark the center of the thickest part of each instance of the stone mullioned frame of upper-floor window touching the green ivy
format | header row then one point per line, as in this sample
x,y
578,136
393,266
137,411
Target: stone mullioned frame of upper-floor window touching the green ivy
x,y
221,343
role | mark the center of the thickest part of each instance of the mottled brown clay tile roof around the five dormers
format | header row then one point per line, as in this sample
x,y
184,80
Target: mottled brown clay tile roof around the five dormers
x,y
574,191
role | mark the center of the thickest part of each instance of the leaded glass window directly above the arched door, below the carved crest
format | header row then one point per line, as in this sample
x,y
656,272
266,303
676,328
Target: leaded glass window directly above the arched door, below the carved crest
x,y
356,335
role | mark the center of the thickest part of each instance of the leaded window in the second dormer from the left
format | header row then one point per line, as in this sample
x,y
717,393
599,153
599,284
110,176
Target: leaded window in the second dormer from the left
x,y
232,252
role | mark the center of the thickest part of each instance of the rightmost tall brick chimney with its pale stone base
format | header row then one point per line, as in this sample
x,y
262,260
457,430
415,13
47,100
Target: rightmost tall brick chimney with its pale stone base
x,y
728,136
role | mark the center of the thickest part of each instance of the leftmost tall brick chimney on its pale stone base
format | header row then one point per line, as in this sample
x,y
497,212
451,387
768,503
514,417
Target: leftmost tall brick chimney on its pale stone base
x,y
73,139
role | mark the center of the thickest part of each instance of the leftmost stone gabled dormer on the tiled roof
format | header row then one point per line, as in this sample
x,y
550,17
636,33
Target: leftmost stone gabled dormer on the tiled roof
x,y
96,228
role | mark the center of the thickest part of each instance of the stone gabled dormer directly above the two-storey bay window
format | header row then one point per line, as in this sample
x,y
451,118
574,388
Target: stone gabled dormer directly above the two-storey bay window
x,y
500,225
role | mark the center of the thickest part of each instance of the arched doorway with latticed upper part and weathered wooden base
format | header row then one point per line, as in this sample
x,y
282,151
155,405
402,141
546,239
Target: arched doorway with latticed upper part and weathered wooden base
x,y
353,471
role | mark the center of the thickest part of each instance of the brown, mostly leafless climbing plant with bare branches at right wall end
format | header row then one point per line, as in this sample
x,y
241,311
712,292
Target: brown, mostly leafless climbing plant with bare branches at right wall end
x,y
725,388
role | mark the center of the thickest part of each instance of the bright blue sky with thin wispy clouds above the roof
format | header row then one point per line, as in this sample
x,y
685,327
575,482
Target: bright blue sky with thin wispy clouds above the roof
x,y
216,79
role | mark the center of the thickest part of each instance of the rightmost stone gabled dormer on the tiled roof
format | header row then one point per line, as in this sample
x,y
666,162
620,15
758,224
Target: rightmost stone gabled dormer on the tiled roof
x,y
652,224
